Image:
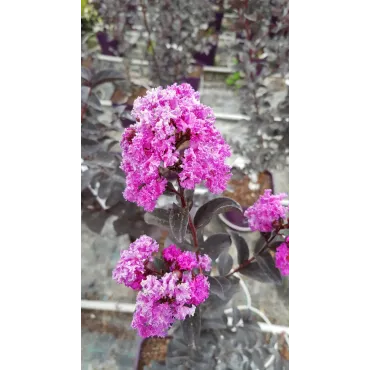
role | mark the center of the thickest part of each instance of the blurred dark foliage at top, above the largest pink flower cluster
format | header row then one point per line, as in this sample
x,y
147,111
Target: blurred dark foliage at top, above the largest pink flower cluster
x,y
168,32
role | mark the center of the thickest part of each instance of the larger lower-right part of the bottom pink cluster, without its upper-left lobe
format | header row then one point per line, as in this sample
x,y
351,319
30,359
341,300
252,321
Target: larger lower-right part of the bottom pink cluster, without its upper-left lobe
x,y
165,300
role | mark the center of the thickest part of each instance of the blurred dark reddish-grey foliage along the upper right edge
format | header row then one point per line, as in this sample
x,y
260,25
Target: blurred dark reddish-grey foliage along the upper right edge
x,y
262,52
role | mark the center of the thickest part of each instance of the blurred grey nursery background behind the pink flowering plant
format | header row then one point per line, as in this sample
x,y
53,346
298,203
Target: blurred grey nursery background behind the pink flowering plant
x,y
235,53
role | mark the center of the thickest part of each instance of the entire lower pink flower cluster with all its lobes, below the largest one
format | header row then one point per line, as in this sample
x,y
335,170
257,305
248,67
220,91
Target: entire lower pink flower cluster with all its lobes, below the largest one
x,y
162,299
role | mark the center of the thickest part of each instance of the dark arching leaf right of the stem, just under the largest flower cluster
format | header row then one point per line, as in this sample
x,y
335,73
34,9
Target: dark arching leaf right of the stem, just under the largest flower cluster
x,y
213,207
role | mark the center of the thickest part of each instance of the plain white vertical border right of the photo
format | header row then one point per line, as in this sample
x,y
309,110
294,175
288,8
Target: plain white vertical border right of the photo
x,y
333,251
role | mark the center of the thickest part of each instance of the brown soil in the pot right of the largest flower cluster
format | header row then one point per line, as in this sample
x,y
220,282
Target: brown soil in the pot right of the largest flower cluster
x,y
242,192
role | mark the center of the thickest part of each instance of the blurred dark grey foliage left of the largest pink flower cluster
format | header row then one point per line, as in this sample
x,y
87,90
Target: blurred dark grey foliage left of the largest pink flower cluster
x,y
101,181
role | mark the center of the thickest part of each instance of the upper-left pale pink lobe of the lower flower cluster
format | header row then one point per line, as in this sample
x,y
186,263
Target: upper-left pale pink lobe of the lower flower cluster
x,y
130,269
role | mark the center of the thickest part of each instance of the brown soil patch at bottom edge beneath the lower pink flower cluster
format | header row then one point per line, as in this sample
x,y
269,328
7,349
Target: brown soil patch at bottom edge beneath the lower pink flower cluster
x,y
153,349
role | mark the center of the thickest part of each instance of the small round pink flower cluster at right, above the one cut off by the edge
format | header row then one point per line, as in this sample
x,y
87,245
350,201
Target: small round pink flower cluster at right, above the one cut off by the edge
x,y
266,211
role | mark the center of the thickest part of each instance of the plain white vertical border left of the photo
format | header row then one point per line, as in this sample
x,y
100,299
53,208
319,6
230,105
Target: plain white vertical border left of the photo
x,y
40,254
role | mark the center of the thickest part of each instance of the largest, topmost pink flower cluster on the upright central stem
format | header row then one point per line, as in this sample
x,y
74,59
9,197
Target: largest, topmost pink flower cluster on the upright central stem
x,y
174,131
